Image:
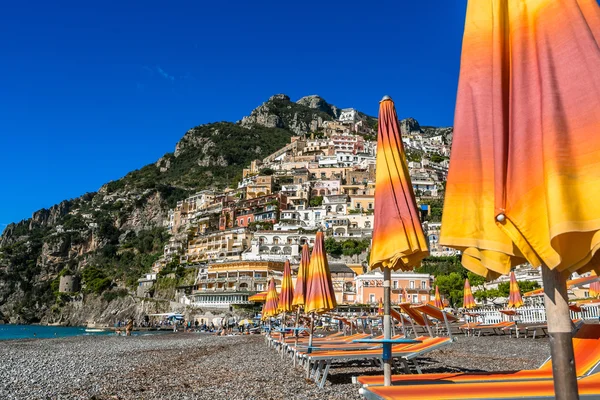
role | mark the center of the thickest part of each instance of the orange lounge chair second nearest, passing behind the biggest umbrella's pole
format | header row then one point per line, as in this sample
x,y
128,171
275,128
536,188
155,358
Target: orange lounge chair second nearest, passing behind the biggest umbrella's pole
x,y
586,345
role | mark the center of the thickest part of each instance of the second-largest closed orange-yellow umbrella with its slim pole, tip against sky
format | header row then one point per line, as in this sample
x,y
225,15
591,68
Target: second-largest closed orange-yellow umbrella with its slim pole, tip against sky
x,y
398,240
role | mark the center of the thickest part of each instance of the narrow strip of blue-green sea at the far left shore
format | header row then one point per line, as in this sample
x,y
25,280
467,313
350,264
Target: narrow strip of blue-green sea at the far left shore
x,y
40,332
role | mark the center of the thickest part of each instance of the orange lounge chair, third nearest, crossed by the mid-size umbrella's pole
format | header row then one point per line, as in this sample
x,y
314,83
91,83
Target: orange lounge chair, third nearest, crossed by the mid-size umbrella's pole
x,y
405,353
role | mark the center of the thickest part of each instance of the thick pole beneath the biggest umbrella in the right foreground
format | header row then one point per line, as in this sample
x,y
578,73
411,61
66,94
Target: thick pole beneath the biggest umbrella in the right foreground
x,y
559,331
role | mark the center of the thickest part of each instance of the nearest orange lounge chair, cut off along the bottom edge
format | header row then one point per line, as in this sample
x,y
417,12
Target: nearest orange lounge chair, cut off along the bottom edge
x,y
589,388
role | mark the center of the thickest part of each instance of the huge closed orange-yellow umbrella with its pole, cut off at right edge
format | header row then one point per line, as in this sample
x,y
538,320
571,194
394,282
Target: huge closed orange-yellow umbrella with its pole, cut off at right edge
x,y
524,169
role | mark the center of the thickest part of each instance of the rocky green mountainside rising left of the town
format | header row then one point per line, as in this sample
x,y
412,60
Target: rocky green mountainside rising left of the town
x,y
112,236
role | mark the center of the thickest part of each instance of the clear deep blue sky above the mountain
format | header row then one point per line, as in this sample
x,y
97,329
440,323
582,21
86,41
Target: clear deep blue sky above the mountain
x,y
91,92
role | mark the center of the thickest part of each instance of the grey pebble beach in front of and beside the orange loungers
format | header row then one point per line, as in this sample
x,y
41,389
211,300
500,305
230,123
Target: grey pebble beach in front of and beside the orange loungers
x,y
201,366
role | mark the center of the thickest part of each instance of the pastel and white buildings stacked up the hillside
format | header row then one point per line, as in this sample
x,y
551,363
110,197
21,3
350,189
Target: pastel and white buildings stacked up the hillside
x,y
239,238
